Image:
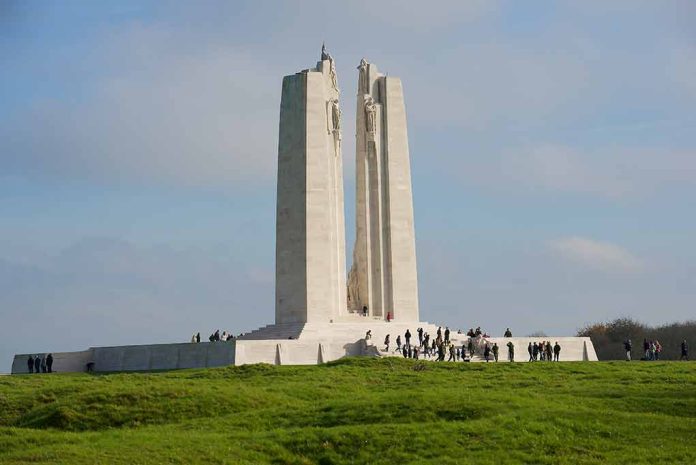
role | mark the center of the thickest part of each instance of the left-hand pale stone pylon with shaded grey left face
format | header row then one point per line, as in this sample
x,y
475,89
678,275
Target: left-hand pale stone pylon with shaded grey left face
x,y
310,222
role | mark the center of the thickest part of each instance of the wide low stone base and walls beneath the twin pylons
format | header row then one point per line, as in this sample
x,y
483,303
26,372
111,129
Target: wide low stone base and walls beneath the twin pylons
x,y
290,344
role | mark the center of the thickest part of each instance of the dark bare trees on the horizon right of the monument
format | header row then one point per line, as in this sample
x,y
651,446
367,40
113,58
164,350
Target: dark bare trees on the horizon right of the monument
x,y
608,337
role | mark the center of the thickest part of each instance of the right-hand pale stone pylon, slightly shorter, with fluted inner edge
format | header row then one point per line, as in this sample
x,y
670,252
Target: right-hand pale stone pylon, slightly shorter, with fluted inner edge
x,y
383,275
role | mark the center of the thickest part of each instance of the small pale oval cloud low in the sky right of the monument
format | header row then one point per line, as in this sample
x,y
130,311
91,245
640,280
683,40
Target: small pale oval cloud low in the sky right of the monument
x,y
596,255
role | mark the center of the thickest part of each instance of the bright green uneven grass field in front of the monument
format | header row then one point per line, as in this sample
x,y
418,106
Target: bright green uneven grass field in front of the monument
x,y
358,411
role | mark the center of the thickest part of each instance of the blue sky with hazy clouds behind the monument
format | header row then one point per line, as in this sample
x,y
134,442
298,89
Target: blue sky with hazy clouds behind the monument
x,y
553,149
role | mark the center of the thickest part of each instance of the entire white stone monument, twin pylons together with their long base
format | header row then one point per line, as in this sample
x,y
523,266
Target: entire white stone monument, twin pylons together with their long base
x,y
318,317
